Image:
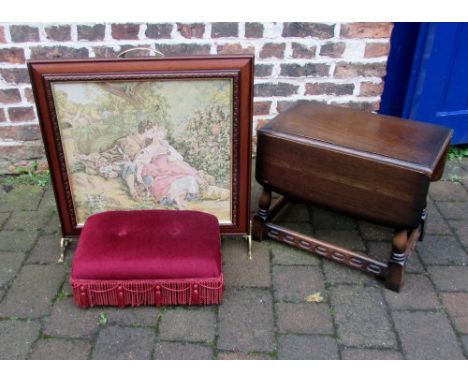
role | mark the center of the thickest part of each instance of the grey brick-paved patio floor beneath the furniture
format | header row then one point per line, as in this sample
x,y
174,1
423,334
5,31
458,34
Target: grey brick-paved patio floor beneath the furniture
x,y
263,314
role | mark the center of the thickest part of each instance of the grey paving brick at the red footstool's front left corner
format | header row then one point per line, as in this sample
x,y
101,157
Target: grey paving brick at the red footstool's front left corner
x,y
68,320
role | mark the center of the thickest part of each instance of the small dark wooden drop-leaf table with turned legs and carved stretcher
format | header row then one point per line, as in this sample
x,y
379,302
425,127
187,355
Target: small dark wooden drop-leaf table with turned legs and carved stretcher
x,y
371,167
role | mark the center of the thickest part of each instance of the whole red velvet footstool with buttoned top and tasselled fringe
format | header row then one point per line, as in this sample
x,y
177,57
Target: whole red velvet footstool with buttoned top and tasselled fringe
x,y
148,258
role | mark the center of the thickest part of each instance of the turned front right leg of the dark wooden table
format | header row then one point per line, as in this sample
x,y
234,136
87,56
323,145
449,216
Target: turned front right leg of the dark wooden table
x,y
396,265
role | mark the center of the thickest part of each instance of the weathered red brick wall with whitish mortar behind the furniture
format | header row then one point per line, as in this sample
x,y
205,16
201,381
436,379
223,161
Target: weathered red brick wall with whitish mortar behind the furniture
x,y
335,63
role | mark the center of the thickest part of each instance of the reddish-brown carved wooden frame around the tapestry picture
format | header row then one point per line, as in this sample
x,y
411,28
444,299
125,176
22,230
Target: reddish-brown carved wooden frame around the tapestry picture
x,y
47,75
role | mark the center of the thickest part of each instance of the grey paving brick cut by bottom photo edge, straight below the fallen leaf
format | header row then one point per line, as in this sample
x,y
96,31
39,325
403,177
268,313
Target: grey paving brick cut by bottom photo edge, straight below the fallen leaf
x,y
295,347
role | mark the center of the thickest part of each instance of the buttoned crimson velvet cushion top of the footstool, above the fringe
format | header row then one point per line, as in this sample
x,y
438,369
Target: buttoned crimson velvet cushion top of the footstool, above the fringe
x,y
126,245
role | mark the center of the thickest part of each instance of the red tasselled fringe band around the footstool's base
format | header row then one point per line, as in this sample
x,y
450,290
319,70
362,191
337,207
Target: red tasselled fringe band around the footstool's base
x,y
89,293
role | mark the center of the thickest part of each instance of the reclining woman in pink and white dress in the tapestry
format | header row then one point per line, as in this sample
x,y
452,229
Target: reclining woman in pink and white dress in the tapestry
x,y
164,173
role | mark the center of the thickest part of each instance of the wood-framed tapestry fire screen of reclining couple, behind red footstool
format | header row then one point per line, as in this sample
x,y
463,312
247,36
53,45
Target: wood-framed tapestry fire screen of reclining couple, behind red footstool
x,y
147,133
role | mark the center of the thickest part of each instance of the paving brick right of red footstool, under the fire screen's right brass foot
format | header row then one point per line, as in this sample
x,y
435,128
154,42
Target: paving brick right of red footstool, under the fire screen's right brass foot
x,y
239,270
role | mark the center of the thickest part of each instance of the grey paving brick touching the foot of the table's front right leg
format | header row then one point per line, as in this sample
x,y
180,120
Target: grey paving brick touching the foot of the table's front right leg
x,y
416,293
